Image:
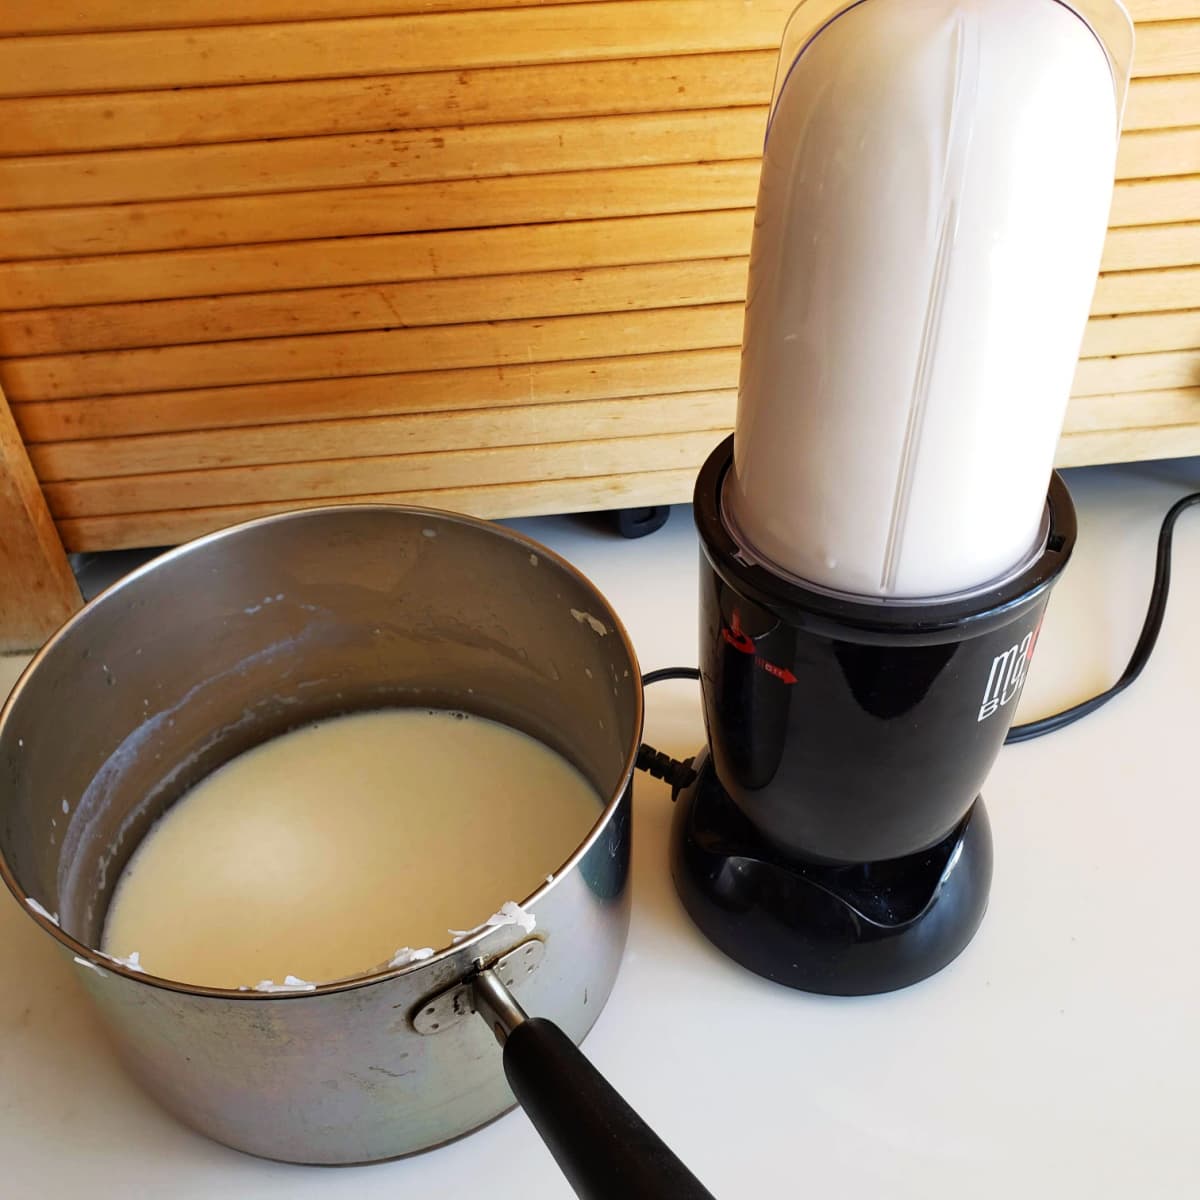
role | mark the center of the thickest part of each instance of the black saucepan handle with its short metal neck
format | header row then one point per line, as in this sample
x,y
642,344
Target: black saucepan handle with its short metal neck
x,y
603,1147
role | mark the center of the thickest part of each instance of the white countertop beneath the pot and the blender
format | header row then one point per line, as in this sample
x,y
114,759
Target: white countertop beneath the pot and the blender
x,y
1059,1057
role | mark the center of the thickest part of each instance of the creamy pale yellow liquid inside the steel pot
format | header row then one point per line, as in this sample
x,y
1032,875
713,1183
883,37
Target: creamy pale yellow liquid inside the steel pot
x,y
322,853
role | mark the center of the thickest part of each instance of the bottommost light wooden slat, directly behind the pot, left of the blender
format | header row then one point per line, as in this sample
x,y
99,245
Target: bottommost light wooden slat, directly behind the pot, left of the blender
x,y
502,501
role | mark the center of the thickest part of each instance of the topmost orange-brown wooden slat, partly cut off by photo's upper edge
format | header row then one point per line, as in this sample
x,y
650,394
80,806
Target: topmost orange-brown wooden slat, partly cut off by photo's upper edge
x,y
79,16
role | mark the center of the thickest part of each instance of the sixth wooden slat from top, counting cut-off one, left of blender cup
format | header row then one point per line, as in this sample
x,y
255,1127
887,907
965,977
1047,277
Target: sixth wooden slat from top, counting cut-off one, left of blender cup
x,y
617,242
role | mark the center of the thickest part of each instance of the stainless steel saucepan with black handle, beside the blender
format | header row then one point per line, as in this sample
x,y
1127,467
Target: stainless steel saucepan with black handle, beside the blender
x,y
251,632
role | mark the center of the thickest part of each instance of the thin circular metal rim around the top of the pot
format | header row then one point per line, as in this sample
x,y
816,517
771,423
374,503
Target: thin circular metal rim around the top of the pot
x,y
95,959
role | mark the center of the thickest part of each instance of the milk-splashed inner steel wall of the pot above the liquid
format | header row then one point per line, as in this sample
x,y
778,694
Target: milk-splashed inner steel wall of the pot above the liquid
x,y
265,628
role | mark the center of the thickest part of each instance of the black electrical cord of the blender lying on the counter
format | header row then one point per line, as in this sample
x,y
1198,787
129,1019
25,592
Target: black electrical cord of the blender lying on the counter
x,y
680,775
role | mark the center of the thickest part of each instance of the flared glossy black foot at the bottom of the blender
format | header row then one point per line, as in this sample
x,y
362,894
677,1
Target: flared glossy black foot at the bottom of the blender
x,y
838,931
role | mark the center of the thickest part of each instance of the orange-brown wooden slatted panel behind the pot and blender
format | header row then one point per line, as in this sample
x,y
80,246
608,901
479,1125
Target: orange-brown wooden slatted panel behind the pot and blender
x,y
487,255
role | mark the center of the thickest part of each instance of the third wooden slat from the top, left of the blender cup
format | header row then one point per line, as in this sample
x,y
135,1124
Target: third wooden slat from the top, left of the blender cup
x,y
199,116
